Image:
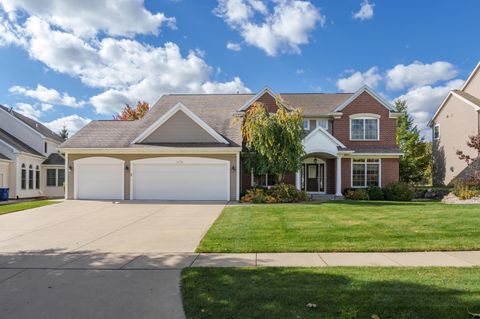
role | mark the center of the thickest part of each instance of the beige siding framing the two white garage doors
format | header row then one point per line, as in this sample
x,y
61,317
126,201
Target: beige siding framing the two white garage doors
x,y
130,157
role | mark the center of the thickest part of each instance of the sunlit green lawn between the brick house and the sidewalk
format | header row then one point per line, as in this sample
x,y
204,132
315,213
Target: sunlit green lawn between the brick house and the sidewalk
x,y
345,226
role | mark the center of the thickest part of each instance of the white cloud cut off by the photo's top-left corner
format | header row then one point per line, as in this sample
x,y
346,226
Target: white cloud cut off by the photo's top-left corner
x,y
89,17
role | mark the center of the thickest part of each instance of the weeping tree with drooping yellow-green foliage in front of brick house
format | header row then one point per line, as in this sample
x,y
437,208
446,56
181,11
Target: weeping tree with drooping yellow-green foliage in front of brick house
x,y
273,141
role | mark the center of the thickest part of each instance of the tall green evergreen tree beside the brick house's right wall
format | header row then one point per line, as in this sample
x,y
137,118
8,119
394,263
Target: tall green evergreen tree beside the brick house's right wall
x,y
415,164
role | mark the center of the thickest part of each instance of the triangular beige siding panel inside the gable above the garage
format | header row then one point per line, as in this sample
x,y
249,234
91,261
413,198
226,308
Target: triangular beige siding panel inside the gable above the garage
x,y
180,129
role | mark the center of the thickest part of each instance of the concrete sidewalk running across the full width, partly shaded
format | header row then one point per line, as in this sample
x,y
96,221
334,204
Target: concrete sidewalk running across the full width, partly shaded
x,y
150,261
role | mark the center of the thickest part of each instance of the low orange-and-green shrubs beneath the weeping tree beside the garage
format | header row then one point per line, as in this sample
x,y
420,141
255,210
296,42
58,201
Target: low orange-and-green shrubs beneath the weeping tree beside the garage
x,y
280,193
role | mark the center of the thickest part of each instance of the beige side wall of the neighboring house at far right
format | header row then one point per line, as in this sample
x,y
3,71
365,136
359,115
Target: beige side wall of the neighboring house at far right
x,y
457,121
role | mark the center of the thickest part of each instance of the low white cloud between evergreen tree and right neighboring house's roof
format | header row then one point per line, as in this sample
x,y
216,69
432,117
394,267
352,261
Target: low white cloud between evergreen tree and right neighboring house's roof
x,y
423,101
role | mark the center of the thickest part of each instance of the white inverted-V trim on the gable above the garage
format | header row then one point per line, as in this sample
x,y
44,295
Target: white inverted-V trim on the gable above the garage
x,y
165,117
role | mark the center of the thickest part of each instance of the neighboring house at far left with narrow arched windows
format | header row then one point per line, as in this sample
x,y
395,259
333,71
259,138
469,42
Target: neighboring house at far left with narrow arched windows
x,y
29,161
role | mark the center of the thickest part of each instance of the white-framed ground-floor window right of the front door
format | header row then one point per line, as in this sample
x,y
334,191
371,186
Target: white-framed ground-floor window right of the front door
x,y
365,172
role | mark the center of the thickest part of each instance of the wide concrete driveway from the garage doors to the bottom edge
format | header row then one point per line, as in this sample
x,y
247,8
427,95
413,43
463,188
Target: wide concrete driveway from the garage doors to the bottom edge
x,y
93,259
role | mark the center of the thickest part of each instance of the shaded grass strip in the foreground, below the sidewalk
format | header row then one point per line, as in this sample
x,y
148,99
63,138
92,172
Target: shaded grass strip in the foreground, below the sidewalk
x,y
396,293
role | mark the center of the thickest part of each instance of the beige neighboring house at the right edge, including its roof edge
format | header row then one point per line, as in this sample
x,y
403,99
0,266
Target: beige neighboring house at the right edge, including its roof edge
x,y
456,119
